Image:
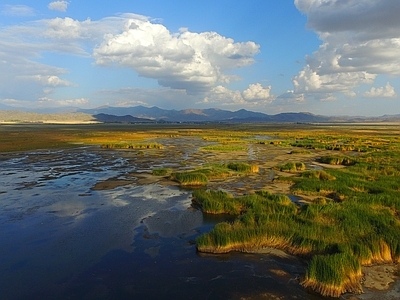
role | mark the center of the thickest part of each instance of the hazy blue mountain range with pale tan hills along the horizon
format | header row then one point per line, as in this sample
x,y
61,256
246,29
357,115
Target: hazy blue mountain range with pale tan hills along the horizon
x,y
141,114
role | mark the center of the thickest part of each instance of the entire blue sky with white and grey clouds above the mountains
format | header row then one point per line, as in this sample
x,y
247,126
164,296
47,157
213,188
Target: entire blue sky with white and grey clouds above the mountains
x,y
326,57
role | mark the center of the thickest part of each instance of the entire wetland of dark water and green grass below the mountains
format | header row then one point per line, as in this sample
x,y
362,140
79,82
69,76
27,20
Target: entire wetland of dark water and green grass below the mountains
x,y
200,211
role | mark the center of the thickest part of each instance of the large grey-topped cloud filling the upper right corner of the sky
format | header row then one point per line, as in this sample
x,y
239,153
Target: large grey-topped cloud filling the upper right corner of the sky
x,y
360,41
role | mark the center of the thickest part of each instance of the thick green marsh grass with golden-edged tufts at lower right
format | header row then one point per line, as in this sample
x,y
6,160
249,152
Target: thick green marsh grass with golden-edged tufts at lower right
x,y
353,221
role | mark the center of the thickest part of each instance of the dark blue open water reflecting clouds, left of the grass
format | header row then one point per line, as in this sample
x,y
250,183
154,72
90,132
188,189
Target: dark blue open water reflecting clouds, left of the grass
x,y
60,239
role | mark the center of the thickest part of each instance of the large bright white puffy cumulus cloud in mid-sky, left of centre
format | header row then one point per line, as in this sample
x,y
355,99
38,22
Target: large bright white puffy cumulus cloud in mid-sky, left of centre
x,y
185,60
